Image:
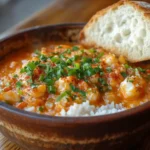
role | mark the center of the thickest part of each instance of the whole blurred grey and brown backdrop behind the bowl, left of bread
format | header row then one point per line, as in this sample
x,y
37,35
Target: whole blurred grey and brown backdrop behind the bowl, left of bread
x,y
20,14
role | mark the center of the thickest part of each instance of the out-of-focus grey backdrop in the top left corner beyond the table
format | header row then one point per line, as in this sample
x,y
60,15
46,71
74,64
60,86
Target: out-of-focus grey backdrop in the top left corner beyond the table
x,y
14,11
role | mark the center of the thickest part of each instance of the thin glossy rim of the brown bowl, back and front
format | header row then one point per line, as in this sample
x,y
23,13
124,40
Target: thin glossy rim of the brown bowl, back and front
x,y
66,119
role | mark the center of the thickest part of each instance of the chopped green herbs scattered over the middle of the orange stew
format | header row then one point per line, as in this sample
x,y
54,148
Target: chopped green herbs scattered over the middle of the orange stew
x,y
51,68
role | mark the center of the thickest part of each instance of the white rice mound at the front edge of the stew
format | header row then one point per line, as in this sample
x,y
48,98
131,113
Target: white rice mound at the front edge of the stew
x,y
85,109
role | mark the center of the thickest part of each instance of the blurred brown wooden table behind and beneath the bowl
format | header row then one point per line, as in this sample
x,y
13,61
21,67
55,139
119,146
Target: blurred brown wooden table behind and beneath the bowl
x,y
59,11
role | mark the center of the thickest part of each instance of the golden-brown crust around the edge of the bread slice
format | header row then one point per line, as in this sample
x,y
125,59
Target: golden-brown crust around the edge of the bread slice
x,y
144,7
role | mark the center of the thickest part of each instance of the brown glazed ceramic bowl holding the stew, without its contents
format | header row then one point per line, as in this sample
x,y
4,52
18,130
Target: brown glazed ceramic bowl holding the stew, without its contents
x,y
125,130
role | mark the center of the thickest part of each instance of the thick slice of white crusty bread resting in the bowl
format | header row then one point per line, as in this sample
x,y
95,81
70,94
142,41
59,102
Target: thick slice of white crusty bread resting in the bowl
x,y
123,29
